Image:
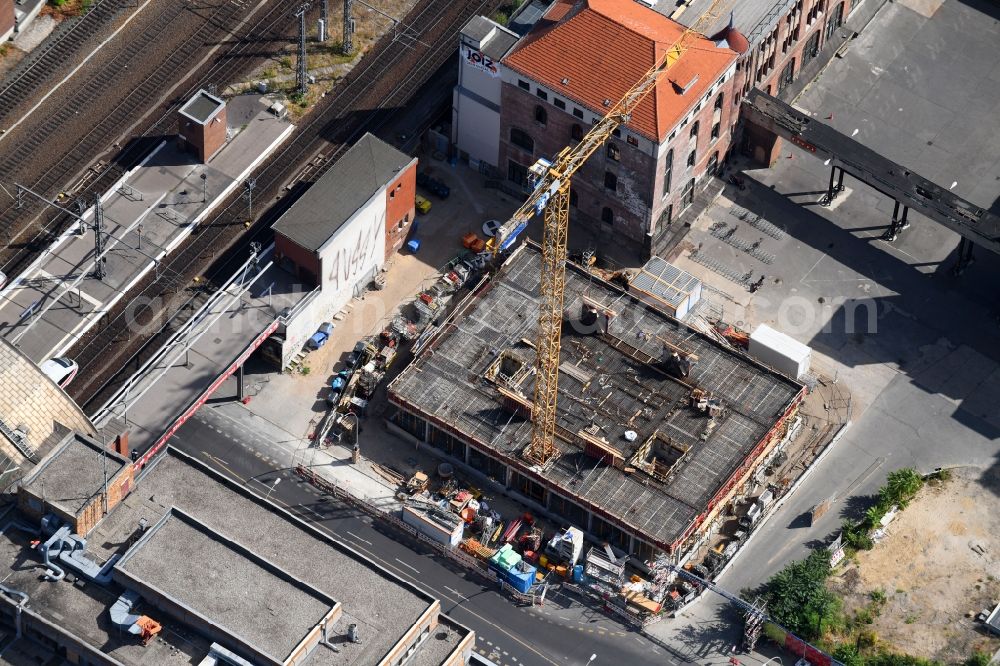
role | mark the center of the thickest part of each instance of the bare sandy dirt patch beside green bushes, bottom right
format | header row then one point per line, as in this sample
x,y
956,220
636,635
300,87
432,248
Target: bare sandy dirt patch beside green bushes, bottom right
x,y
938,567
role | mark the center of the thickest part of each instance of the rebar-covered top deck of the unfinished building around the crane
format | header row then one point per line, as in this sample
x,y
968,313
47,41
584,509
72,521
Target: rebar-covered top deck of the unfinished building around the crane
x,y
608,385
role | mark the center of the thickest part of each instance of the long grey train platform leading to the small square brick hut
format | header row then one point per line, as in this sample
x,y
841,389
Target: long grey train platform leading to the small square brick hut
x,y
148,214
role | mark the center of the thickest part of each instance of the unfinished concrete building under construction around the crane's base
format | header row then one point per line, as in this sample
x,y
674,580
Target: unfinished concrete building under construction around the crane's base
x,y
659,426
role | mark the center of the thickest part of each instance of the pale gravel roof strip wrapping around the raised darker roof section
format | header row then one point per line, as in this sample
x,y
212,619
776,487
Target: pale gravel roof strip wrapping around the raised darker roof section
x,y
382,605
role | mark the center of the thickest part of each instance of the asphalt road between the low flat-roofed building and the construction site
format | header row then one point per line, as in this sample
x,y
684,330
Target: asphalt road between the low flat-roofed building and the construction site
x,y
506,634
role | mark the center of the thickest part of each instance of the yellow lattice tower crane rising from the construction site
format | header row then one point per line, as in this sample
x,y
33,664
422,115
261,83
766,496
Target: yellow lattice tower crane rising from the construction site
x,y
551,181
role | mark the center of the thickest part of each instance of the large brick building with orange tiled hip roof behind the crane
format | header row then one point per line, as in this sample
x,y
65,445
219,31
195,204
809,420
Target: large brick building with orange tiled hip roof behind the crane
x,y
582,56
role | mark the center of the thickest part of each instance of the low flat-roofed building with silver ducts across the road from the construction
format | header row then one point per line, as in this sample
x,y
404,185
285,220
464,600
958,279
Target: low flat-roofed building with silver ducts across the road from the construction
x,y
192,568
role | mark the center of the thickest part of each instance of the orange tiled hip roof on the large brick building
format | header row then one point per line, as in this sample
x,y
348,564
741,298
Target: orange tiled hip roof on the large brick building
x,y
603,47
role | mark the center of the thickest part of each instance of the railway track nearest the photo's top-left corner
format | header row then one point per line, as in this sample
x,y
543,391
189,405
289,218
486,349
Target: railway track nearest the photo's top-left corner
x,y
38,67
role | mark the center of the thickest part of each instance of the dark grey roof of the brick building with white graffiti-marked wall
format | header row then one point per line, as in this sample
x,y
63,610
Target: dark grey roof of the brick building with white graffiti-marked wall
x,y
363,170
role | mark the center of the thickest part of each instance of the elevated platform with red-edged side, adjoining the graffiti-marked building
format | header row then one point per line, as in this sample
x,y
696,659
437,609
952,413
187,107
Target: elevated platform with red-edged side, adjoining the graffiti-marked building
x,y
211,346
